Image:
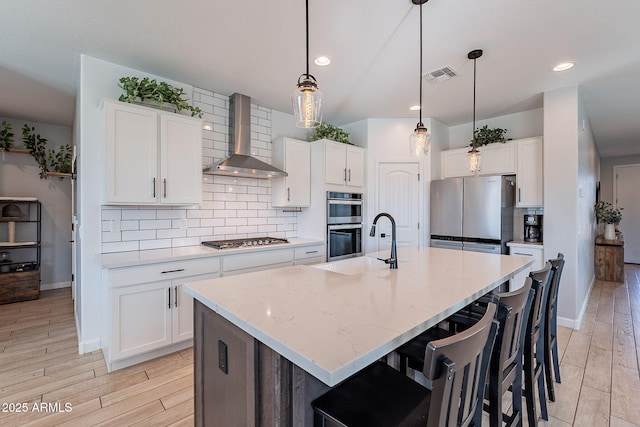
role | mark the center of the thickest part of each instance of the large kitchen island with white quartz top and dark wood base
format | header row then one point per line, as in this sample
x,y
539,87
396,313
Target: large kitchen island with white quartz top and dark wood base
x,y
268,343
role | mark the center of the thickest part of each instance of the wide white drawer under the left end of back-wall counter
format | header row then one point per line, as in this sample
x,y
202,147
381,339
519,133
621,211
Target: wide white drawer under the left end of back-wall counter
x,y
164,271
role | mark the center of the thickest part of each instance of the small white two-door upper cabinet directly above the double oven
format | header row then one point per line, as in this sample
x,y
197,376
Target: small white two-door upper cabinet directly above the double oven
x,y
344,164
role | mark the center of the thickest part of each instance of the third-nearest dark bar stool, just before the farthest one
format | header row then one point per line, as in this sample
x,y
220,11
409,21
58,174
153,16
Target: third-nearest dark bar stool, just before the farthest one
x,y
534,347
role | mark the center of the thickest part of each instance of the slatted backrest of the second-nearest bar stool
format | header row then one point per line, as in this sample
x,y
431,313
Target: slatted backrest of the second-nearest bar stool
x,y
512,315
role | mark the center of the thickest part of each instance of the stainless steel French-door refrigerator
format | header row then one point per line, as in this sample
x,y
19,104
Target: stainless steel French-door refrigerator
x,y
474,213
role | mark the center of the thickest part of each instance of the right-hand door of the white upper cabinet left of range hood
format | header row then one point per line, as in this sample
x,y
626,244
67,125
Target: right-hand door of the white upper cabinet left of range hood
x,y
180,159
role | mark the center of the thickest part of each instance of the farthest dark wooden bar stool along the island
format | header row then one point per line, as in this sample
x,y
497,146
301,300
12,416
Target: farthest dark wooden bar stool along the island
x,y
551,330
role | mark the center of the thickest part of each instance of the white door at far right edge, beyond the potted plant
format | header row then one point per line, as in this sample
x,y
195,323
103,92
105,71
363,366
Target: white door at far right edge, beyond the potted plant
x,y
627,196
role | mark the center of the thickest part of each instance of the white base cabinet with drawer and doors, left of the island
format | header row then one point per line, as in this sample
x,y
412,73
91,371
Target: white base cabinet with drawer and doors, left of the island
x,y
149,310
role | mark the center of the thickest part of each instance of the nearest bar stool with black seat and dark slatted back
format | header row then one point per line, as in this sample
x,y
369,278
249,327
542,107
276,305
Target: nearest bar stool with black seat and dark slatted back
x,y
380,396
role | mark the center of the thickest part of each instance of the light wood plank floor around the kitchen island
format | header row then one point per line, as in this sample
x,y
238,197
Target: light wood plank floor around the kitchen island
x,y
39,363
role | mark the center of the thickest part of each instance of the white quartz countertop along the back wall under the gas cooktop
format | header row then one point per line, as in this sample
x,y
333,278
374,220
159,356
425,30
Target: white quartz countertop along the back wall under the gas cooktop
x,y
153,256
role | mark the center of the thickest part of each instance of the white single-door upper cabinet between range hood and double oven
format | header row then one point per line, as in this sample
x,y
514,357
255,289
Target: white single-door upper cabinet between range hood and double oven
x,y
294,157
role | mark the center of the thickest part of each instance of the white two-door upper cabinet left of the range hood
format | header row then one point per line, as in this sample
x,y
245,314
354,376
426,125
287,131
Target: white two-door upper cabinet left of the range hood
x,y
152,157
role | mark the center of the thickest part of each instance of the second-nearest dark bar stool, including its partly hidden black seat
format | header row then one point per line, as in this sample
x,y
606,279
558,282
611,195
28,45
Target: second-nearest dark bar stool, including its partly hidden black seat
x,y
505,369
